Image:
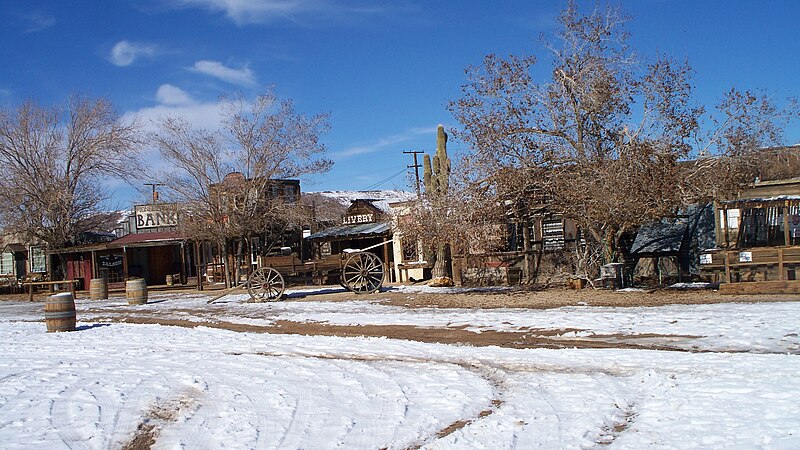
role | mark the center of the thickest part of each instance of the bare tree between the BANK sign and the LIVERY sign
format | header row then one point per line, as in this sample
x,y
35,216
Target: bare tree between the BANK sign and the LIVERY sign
x,y
223,179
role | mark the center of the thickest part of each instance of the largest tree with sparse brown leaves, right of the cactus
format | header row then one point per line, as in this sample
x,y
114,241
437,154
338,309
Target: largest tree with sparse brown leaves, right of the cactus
x,y
606,137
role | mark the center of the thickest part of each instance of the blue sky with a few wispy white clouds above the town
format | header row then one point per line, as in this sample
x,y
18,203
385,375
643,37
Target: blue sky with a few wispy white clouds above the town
x,y
384,70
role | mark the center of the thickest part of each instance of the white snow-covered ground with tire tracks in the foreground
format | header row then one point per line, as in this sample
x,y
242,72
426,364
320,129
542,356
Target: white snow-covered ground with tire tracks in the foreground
x,y
212,388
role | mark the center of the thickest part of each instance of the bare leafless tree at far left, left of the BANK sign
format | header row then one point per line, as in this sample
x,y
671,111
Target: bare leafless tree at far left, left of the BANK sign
x,y
56,162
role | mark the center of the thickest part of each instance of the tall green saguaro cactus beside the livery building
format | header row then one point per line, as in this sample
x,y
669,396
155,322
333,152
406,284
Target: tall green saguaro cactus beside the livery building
x,y
436,177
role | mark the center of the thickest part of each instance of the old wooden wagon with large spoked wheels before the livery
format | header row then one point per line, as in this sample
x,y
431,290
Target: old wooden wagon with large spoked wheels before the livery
x,y
360,272
